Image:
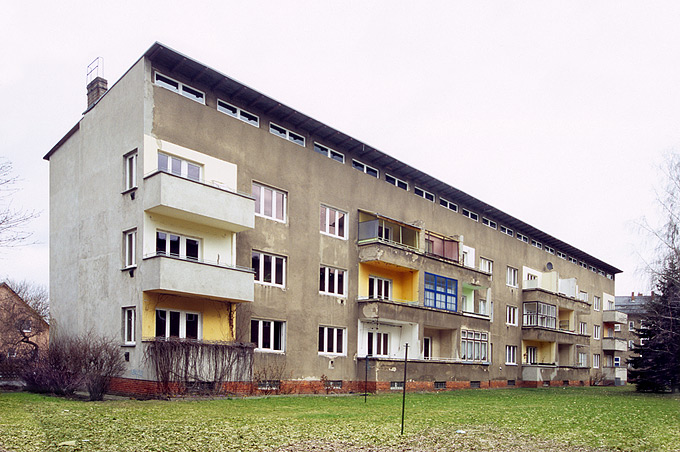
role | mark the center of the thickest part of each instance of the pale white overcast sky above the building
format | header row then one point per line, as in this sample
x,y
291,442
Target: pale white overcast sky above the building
x,y
556,112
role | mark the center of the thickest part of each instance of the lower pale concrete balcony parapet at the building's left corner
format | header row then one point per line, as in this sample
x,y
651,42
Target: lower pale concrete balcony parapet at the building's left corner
x,y
170,275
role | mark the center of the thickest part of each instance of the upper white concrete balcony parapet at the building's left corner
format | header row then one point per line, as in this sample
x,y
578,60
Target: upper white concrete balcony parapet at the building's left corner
x,y
200,203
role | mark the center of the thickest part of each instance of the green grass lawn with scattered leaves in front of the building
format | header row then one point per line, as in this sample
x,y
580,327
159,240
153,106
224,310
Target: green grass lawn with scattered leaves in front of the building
x,y
504,419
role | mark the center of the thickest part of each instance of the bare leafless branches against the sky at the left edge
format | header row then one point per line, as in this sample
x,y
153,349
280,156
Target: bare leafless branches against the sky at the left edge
x,y
13,220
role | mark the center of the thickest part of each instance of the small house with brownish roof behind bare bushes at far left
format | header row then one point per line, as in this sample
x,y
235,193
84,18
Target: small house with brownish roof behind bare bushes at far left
x,y
23,332
